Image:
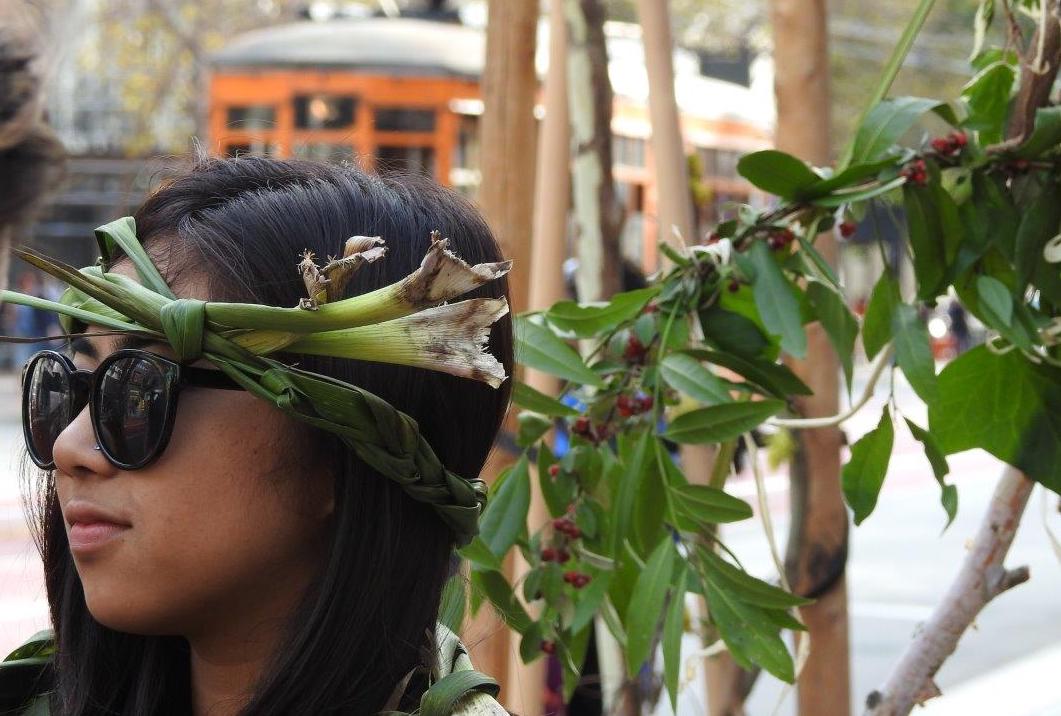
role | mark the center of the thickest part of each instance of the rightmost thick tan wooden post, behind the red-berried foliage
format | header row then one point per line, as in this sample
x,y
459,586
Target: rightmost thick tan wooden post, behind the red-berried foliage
x,y
819,538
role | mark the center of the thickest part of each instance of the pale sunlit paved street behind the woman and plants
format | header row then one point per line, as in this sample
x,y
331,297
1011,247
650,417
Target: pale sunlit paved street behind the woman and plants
x,y
900,565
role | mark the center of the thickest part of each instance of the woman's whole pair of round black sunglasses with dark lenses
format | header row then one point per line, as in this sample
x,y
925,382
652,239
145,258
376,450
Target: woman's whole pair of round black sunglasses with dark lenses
x,y
132,398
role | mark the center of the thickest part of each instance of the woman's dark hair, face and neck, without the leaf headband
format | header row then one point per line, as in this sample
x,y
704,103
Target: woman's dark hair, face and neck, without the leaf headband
x,y
257,565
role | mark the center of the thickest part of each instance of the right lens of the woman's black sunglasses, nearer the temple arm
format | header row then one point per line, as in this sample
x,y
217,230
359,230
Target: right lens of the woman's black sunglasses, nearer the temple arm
x,y
132,409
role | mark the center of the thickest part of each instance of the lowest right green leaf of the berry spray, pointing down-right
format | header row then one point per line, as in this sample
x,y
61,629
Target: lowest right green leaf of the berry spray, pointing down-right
x,y
752,636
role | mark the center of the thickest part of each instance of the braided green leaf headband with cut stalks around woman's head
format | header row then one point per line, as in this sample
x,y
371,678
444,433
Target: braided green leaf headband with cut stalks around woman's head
x,y
408,323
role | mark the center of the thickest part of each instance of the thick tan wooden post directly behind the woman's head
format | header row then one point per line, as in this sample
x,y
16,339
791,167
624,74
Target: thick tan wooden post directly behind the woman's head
x,y
507,196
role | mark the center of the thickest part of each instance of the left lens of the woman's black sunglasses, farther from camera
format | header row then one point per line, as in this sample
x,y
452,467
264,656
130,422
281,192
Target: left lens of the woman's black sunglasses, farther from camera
x,y
49,406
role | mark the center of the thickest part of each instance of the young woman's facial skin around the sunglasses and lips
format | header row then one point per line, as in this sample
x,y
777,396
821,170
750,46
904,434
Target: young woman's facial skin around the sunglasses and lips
x,y
229,527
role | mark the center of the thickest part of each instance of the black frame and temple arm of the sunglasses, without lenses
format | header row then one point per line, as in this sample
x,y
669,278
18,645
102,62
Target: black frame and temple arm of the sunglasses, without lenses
x,y
175,375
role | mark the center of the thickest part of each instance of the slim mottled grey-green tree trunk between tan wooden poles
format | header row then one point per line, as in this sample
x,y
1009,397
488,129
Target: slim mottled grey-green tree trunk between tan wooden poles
x,y
599,217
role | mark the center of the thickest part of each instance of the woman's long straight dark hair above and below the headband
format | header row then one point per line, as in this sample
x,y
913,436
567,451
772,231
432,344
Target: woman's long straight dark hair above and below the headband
x,y
371,619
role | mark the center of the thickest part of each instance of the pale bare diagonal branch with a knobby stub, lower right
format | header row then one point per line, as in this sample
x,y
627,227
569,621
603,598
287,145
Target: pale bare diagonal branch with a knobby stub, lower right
x,y
980,581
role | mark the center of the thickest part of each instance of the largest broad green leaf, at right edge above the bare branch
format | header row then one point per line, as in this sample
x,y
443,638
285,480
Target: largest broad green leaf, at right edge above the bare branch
x,y
1005,406
